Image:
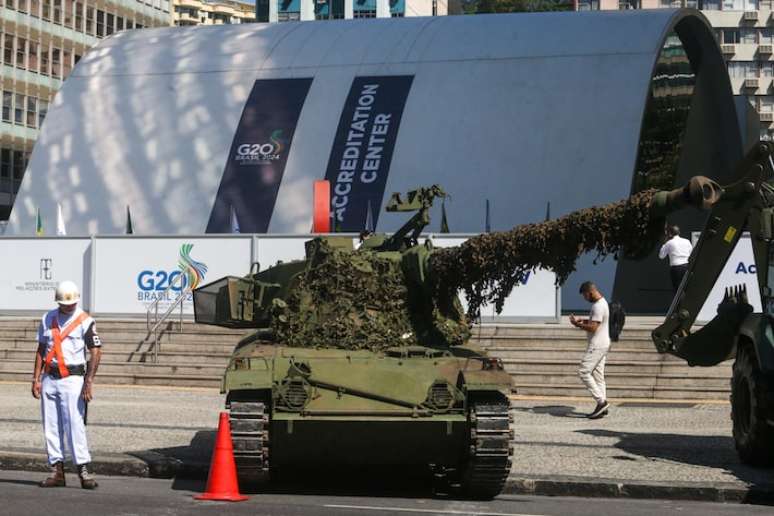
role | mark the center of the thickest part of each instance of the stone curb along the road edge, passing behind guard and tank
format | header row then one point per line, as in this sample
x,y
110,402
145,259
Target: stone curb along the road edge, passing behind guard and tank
x,y
149,464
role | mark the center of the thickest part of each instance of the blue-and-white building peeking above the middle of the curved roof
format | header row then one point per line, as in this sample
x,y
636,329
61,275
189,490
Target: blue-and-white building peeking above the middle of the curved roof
x,y
294,10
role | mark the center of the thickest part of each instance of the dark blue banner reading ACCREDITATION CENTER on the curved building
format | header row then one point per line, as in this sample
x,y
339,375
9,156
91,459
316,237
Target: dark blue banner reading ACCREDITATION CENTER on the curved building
x,y
362,150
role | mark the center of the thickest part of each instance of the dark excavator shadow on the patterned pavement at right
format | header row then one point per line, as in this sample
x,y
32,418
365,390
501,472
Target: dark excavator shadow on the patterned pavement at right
x,y
713,451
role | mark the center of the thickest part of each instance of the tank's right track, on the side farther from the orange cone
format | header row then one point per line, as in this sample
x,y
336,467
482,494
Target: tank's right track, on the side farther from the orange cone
x,y
488,465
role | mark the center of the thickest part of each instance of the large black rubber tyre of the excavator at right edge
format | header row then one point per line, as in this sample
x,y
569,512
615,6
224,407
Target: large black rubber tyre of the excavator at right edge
x,y
750,410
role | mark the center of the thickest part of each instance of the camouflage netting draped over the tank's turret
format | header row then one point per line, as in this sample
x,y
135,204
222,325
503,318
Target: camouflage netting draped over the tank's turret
x,y
361,300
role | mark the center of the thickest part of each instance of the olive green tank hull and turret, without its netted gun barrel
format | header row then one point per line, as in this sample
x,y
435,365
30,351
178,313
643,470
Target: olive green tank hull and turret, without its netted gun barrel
x,y
355,362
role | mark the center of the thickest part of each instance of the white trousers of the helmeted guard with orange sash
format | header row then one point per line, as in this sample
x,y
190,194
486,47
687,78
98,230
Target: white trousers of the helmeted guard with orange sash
x,y
62,408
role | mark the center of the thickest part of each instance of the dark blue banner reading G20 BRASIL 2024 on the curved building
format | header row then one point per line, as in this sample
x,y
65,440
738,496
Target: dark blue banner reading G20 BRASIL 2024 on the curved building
x,y
256,161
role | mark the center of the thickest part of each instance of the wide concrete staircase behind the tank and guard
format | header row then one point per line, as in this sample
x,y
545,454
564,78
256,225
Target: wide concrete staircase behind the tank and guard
x,y
543,359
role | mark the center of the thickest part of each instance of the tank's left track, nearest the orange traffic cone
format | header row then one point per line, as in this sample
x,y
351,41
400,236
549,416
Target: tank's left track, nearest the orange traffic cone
x,y
249,422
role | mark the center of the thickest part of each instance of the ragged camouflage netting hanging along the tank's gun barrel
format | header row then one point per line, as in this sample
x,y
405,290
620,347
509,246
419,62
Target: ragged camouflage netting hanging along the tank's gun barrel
x,y
488,266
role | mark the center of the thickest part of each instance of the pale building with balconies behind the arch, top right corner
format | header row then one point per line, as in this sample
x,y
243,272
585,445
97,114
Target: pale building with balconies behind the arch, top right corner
x,y
744,30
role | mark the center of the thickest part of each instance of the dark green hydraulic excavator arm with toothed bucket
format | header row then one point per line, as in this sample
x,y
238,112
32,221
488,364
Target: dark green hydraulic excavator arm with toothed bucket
x,y
745,205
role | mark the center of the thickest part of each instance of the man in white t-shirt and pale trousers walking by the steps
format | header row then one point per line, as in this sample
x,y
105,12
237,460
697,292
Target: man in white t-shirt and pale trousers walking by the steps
x,y
592,368
